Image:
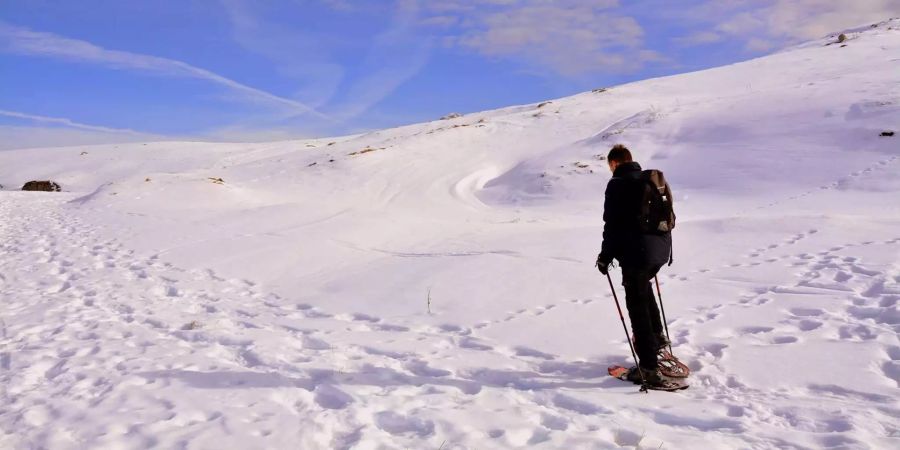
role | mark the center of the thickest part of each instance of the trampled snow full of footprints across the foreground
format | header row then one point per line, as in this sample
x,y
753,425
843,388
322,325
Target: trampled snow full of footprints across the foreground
x,y
107,328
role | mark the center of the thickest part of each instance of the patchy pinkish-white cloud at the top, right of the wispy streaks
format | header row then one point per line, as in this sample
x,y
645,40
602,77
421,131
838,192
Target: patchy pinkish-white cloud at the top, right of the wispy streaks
x,y
568,37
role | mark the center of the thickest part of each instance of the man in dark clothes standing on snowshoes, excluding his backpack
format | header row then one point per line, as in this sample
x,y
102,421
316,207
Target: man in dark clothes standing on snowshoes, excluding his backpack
x,y
640,257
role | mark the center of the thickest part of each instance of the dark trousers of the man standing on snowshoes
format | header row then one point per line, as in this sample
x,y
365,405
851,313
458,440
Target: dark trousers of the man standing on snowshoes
x,y
643,312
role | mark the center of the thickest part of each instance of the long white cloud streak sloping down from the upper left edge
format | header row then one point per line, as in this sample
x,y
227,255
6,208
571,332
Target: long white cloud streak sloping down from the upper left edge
x,y
20,40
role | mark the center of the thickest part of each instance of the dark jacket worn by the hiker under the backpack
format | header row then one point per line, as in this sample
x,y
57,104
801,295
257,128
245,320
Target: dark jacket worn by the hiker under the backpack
x,y
622,236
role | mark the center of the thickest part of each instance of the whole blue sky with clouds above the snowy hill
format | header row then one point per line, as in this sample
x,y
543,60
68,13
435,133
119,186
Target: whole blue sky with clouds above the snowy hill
x,y
94,71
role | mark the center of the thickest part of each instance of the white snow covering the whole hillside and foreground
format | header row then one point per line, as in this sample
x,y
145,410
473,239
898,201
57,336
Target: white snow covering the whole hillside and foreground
x,y
436,289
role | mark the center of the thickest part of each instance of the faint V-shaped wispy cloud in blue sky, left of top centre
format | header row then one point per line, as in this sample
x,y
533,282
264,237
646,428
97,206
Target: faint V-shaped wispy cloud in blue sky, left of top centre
x,y
392,56
